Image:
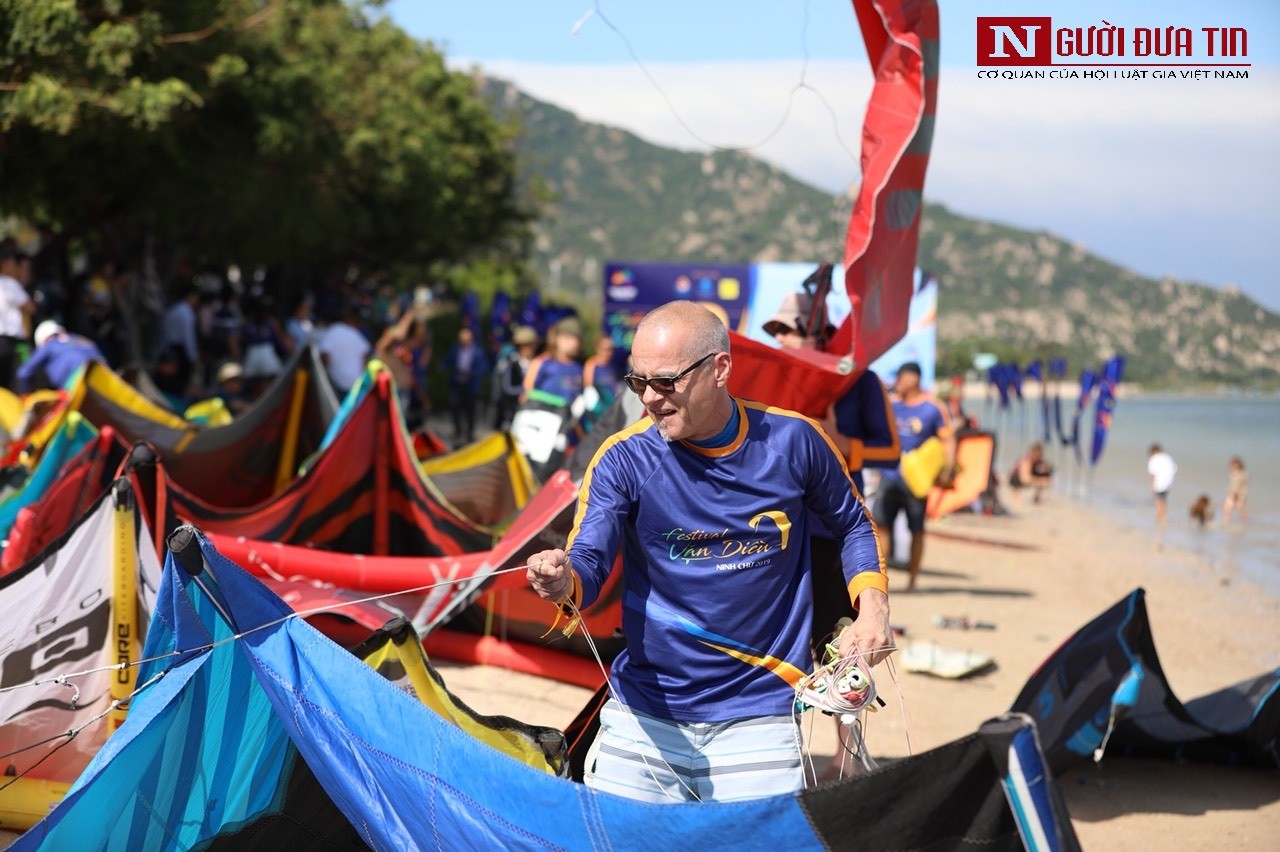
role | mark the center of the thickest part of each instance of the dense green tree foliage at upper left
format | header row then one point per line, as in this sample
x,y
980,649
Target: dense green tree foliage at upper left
x,y
260,132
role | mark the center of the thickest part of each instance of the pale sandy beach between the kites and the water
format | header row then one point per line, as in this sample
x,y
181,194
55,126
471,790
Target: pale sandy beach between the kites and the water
x,y
1212,631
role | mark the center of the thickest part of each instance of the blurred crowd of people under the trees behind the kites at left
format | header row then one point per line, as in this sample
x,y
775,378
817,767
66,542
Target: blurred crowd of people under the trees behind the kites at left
x,y
222,338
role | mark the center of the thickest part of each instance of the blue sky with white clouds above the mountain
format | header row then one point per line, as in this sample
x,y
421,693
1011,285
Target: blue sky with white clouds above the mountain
x,y
1171,177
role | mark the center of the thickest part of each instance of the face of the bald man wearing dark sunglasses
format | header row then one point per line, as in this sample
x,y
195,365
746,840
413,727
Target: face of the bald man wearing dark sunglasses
x,y
691,411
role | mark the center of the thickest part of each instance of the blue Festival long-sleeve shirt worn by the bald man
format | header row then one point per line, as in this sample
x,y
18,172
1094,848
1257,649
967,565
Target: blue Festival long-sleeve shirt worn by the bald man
x,y
715,543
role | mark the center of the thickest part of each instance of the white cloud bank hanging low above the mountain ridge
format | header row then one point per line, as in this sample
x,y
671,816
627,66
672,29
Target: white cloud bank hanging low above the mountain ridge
x,y
1173,176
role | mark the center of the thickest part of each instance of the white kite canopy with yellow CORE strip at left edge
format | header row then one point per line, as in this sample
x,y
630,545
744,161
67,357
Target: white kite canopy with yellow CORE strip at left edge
x,y
74,612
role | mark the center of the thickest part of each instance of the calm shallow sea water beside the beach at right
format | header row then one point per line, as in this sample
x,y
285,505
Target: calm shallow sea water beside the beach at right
x,y
1203,434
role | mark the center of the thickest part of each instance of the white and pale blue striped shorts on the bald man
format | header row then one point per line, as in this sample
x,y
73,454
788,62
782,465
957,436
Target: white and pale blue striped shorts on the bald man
x,y
661,761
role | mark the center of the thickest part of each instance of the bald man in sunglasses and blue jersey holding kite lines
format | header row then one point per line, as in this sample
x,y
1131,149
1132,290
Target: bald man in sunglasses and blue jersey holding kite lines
x,y
708,502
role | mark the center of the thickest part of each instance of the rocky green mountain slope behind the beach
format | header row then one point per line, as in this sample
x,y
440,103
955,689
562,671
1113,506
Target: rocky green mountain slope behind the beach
x,y
1022,295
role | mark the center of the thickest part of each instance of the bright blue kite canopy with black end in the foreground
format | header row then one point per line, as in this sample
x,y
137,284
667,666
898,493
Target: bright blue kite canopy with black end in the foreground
x,y
249,694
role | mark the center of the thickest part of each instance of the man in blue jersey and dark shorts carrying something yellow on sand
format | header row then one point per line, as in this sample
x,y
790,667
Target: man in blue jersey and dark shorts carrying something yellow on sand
x,y
920,416
